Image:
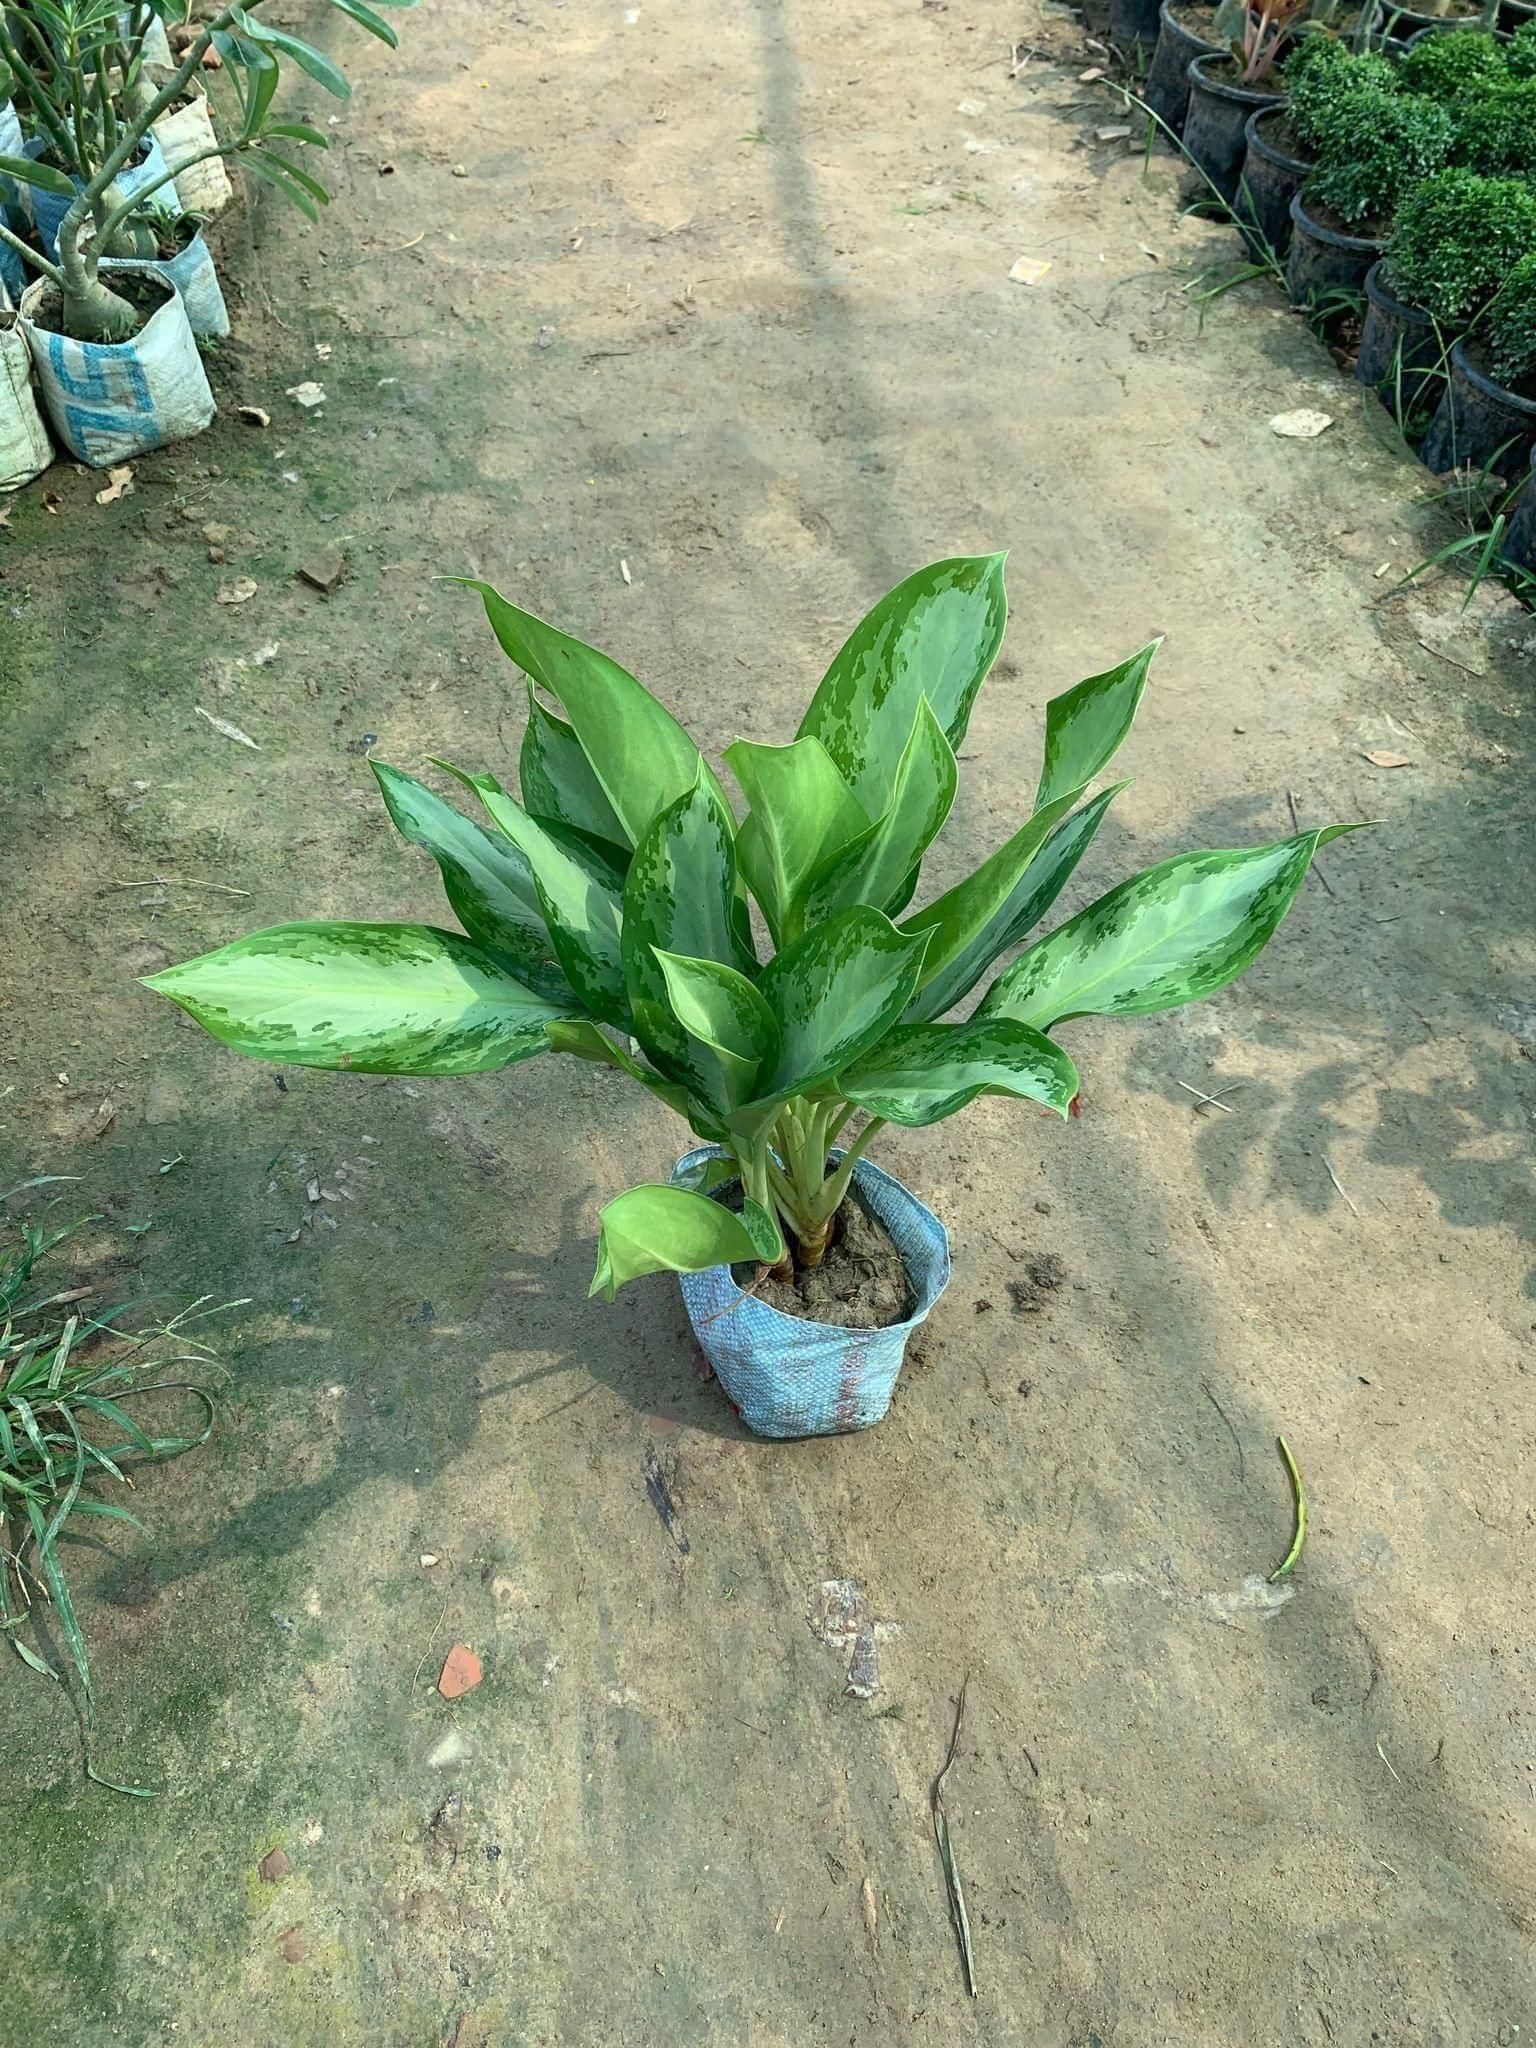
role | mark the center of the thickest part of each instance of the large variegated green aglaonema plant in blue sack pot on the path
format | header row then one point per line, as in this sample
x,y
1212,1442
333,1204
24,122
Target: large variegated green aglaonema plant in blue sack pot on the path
x,y
609,916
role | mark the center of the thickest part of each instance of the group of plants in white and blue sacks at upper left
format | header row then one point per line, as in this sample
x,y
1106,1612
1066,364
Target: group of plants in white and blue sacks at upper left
x,y
112,161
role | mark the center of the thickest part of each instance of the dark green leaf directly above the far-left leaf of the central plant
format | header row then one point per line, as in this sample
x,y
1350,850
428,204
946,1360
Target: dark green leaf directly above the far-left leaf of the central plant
x,y
486,880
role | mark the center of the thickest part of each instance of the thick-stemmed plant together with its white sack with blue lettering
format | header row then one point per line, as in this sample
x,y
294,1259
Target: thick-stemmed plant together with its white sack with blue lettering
x,y
116,355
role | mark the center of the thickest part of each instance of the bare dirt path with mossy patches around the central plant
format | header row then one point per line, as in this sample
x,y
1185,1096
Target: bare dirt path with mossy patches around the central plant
x,y
691,327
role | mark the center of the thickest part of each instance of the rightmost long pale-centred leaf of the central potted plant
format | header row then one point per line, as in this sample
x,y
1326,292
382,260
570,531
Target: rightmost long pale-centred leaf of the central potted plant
x,y
1162,939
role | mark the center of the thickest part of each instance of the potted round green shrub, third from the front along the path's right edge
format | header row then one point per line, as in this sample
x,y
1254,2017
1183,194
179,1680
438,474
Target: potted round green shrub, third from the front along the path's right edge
x,y
1373,151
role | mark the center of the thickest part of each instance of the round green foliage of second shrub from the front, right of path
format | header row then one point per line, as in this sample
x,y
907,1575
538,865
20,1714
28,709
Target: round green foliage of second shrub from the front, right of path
x,y
1457,239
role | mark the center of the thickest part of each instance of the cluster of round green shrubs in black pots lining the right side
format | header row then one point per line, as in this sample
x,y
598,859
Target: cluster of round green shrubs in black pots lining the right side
x,y
1402,177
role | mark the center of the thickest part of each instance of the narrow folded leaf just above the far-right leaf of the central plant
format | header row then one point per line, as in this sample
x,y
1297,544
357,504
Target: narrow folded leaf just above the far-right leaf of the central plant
x,y
994,908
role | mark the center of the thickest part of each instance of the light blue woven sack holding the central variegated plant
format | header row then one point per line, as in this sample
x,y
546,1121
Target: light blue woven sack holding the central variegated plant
x,y
790,1377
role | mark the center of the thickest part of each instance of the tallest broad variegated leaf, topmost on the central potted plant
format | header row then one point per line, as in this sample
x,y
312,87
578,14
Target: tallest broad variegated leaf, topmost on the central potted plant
x,y
935,636
